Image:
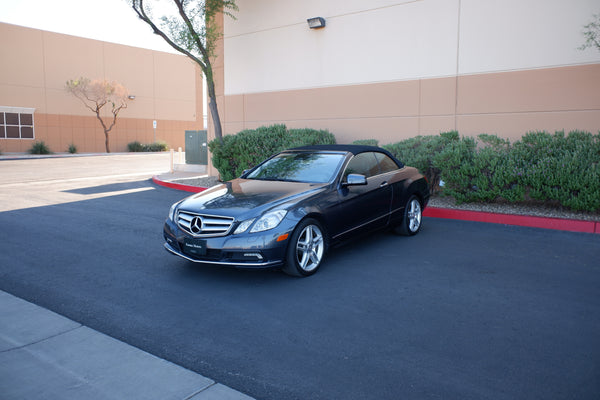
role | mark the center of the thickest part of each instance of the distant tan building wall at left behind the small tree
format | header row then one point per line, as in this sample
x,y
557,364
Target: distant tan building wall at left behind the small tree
x,y
167,89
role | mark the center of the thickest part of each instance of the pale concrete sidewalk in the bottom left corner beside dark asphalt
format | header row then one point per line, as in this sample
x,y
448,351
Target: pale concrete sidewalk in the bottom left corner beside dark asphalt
x,y
46,356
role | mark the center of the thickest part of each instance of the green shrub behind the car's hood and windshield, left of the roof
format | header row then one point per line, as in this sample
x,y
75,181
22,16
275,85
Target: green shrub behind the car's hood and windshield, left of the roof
x,y
249,147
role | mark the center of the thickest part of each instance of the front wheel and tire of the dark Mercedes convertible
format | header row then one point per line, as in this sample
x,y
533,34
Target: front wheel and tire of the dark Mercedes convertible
x,y
306,249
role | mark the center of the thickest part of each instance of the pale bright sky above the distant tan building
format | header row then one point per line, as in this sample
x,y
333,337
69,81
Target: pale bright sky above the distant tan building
x,y
107,20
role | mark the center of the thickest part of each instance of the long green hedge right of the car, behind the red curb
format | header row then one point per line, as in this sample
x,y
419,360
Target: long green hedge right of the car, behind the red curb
x,y
560,169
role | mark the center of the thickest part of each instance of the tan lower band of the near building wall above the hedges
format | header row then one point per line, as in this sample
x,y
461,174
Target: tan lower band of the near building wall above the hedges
x,y
508,104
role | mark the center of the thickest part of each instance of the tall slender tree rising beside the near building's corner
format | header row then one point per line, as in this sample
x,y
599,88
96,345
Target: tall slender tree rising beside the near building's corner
x,y
190,29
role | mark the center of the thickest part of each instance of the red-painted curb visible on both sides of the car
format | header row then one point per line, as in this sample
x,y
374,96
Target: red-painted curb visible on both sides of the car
x,y
570,225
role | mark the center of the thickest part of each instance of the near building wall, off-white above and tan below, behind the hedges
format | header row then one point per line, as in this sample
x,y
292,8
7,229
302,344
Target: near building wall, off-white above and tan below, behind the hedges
x,y
391,69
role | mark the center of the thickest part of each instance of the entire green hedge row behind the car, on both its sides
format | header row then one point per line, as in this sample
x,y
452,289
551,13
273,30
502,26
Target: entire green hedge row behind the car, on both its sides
x,y
556,168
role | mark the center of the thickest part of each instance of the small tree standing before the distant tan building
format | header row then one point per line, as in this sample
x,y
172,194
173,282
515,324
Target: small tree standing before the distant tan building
x,y
95,95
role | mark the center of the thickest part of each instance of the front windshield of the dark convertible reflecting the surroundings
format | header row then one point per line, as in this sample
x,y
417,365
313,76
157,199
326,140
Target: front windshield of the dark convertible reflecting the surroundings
x,y
299,167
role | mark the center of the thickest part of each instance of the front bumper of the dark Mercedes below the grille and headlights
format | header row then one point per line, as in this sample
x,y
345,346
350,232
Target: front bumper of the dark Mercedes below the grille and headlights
x,y
255,251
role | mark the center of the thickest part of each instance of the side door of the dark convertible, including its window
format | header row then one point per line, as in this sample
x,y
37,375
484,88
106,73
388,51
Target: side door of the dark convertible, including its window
x,y
363,207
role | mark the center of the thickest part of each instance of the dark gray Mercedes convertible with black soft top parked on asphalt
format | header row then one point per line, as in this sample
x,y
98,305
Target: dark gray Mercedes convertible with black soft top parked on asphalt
x,y
287,211
